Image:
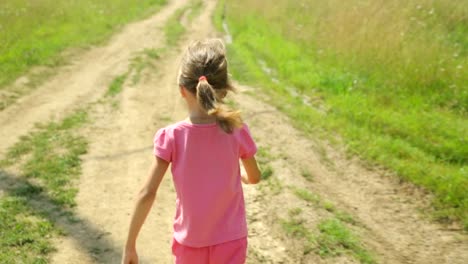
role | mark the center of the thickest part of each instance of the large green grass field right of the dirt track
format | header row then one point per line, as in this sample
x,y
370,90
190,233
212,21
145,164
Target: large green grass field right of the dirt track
x,y
389,79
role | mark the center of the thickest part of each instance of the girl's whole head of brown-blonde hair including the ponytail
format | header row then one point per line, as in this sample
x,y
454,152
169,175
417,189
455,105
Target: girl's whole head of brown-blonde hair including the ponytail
x,y
203,72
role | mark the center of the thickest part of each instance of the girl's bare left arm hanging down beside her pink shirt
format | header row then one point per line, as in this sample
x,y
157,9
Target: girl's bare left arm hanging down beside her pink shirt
x,y
143,205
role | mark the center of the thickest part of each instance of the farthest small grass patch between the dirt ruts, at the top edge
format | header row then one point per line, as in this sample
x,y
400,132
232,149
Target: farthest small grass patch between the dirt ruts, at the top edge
x,y
173,28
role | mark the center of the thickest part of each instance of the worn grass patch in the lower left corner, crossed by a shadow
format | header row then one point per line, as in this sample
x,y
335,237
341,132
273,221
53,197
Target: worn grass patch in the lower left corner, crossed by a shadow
x,y
49,157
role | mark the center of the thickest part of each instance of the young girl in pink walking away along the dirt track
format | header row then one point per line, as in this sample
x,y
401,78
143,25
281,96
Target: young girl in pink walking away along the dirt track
x,y
204,149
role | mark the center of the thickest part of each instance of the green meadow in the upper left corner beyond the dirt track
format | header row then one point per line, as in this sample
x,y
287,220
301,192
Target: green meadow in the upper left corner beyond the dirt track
x,y
35,32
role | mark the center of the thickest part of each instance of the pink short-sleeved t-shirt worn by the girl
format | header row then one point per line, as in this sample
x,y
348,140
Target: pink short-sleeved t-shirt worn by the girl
x,y
205,167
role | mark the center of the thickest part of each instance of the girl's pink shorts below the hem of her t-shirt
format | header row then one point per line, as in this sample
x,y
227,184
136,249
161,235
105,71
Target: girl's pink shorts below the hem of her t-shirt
x,y
232,252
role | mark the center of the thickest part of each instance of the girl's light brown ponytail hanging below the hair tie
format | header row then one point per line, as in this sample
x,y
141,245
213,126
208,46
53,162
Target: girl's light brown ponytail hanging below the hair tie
x,y
226,118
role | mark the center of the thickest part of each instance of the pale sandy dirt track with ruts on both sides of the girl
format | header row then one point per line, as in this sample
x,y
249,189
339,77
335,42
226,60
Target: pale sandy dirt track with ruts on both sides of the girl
x,y
120,154
